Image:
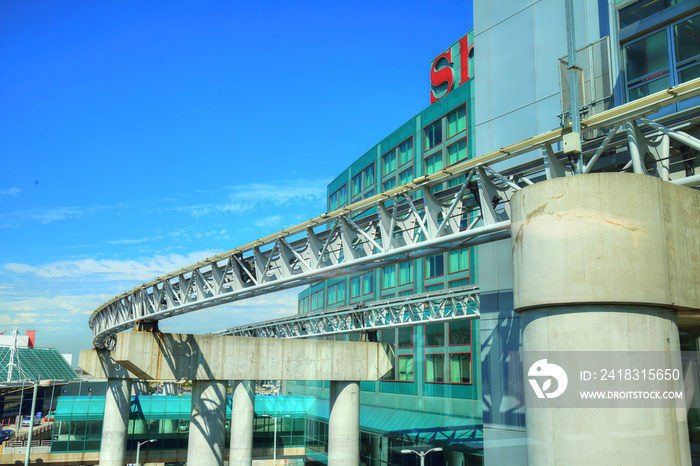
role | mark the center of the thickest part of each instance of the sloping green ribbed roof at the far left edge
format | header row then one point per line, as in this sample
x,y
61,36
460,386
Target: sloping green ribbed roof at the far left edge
x,y
36,364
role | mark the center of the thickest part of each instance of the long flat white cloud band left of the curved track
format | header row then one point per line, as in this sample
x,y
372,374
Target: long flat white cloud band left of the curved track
x,y
144,269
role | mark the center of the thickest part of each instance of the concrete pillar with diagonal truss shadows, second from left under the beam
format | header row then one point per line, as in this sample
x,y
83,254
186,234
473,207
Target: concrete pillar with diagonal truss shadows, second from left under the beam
x,y
207,423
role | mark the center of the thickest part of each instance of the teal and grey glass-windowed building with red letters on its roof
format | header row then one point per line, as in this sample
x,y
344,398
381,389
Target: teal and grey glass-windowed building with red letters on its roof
x,y
504,82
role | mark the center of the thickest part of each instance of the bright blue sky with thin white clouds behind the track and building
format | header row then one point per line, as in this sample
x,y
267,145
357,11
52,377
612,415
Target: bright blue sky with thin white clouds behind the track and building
x,y
140,137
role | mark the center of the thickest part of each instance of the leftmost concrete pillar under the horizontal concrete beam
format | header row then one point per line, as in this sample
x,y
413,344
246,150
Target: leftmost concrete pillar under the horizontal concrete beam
x,y
115,422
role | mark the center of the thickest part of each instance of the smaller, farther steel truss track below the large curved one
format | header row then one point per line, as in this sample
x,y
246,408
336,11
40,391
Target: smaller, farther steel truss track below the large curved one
x,y
462,303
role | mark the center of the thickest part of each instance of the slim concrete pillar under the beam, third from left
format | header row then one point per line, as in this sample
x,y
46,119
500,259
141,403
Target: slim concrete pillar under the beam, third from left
x,y
242,413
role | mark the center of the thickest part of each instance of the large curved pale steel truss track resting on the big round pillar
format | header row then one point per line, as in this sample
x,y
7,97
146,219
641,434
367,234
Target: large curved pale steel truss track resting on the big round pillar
x,y
409,221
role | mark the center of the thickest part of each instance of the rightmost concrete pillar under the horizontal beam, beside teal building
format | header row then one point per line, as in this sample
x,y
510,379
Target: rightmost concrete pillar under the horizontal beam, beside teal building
x,y
344,424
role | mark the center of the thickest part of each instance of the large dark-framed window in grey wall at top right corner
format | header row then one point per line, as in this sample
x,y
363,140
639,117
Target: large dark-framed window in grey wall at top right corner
x,y
663,58
